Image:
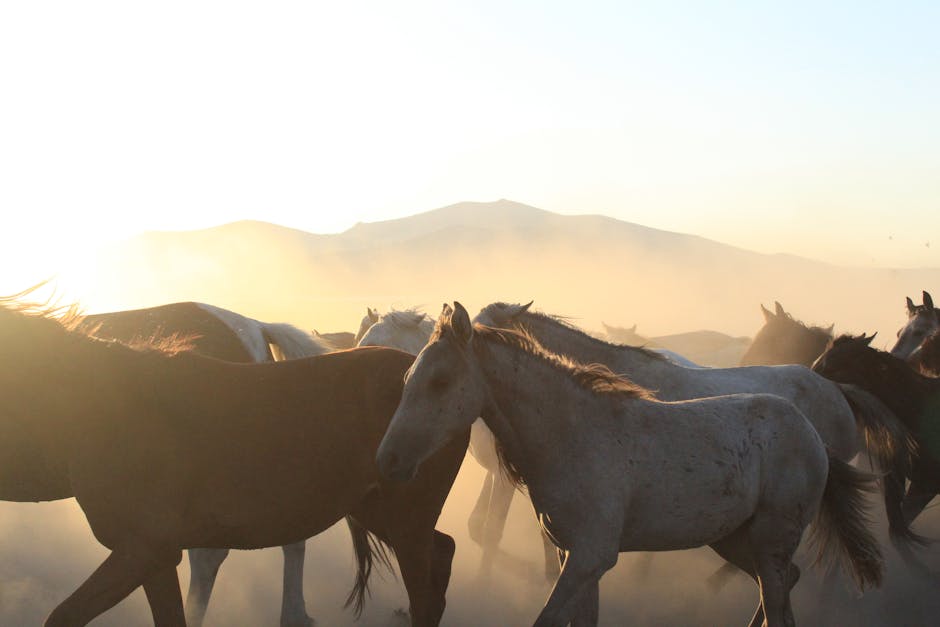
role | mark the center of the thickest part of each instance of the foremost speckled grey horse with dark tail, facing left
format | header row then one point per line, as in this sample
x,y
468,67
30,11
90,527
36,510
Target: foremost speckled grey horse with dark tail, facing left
x,y
611,469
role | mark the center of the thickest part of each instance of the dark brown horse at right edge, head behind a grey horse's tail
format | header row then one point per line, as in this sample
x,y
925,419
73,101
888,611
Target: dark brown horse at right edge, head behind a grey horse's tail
x,y
915,400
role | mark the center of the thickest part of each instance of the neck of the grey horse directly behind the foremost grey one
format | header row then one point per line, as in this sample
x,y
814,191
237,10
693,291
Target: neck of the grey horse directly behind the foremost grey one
x,y
579,346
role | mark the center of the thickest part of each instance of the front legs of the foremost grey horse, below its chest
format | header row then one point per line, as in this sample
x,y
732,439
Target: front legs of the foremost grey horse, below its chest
x,y
576,584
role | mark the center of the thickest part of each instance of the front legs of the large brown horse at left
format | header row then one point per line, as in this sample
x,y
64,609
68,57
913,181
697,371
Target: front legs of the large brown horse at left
x,y
123,571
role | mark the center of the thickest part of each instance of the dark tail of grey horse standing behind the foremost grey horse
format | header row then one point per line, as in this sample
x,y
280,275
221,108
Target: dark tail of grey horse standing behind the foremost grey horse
x,y
893,449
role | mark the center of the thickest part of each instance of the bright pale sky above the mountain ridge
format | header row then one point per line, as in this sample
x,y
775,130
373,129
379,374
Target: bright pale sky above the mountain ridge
x,y
801,127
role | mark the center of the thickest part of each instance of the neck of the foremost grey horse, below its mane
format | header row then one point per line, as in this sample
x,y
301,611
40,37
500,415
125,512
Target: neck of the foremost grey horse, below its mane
x,y
530,406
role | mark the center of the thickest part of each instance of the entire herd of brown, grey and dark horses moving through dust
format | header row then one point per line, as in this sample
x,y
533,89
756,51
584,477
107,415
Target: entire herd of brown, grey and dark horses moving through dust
x,y
191,427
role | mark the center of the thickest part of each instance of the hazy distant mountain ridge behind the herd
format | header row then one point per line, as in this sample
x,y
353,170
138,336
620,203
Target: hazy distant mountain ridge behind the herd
x,y
591,267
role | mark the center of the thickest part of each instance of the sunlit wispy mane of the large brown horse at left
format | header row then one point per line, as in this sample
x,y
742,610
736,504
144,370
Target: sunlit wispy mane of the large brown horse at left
x,y
71,320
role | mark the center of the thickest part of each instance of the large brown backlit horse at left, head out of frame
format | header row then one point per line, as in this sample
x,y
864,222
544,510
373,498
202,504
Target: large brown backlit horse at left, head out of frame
x,y
170,450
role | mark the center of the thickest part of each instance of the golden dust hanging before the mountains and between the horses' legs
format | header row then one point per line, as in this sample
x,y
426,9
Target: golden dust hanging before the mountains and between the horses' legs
x,y
593,269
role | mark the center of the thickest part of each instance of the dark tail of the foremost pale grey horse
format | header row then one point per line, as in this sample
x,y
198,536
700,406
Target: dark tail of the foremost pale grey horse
x,y
842,529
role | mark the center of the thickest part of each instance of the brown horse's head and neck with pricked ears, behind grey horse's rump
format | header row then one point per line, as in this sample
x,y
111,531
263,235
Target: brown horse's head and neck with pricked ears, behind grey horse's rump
x,y
785,340
